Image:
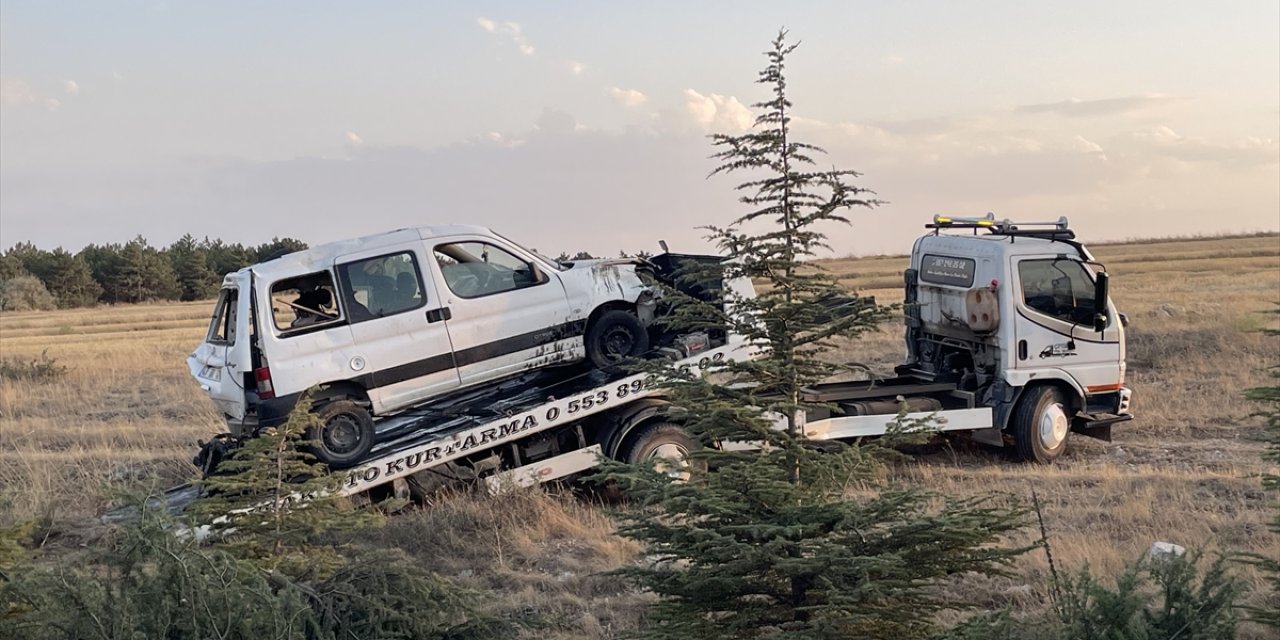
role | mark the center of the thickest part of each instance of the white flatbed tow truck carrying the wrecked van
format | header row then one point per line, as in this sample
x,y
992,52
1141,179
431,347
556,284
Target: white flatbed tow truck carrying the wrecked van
x,y
1011,335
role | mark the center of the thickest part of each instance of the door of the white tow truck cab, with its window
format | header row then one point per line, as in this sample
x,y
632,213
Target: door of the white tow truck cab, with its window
x,y
1054,324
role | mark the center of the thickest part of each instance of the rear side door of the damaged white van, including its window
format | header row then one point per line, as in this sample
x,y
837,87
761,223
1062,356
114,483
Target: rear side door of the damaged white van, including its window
x,y
401,340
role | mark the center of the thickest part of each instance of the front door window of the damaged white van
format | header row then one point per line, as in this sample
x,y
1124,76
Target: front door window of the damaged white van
x,y
476,269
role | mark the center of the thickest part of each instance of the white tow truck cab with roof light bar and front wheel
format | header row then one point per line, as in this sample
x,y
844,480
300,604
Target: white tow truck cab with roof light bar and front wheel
x,y
1018,322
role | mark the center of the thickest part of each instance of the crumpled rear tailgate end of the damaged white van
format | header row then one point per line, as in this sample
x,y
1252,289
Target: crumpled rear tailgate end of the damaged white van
x,y
223,360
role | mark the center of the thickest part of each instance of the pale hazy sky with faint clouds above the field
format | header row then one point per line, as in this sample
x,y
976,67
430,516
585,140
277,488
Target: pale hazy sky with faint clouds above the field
x,y
577,126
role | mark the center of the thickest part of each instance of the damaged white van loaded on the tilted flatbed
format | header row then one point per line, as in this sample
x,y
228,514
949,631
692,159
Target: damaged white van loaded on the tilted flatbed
x,y
387,322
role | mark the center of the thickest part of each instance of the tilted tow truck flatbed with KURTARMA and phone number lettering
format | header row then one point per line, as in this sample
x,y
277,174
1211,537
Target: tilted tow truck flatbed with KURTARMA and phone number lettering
x,y
505,414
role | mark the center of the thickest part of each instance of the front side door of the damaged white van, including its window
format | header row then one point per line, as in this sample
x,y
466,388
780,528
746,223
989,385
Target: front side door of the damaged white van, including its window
x,y
506,314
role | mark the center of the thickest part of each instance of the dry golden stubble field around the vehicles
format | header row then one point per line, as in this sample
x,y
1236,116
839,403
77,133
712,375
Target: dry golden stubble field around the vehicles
x,y
1186,472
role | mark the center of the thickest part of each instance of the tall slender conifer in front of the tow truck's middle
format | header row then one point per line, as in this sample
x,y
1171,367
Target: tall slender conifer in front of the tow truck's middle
x,y
776,543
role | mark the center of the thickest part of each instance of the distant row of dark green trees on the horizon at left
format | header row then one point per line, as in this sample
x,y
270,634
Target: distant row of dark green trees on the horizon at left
x,y
33,278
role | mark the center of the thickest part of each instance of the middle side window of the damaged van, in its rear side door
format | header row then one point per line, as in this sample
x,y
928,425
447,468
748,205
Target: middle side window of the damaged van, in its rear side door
x,y
383,286
